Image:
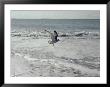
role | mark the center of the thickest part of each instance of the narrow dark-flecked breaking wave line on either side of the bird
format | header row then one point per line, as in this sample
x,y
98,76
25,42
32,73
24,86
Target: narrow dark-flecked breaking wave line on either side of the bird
x,y
60,34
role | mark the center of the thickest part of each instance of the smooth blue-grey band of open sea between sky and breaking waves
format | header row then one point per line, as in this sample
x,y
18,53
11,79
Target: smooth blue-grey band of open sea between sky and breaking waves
x,y
62,25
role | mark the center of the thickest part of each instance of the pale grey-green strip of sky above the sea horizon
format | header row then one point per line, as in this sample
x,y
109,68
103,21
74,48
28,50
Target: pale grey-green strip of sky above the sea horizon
x,y
55,14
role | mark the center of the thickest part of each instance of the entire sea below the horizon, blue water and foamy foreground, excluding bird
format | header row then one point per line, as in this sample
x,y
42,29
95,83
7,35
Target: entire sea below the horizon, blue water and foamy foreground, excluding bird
x,y
76,54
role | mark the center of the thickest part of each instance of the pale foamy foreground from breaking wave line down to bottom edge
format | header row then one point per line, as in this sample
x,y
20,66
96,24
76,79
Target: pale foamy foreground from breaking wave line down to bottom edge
x,y
76,54
